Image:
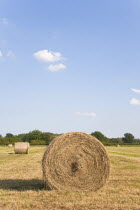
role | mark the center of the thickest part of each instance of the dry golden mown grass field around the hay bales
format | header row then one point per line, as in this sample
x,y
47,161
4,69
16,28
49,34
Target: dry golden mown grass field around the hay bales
x,y
21,183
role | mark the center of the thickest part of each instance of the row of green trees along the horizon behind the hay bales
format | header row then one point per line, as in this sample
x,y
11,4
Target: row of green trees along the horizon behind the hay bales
x,y
37,137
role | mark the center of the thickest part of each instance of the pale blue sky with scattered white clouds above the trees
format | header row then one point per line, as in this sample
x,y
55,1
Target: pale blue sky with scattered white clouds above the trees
x,y
70,66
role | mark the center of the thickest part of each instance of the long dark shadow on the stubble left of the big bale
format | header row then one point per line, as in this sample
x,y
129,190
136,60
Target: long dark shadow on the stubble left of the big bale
x,y
21,185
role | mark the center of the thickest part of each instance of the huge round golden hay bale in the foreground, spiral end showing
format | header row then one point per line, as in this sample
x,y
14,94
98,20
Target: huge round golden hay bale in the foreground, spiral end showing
x,y
75,162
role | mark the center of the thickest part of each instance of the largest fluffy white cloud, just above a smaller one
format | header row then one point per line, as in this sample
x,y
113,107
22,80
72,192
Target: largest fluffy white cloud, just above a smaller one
x,y
48,56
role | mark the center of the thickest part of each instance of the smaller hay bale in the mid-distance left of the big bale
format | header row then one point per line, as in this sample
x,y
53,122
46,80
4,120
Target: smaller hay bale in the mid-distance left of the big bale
x,y
22,147
